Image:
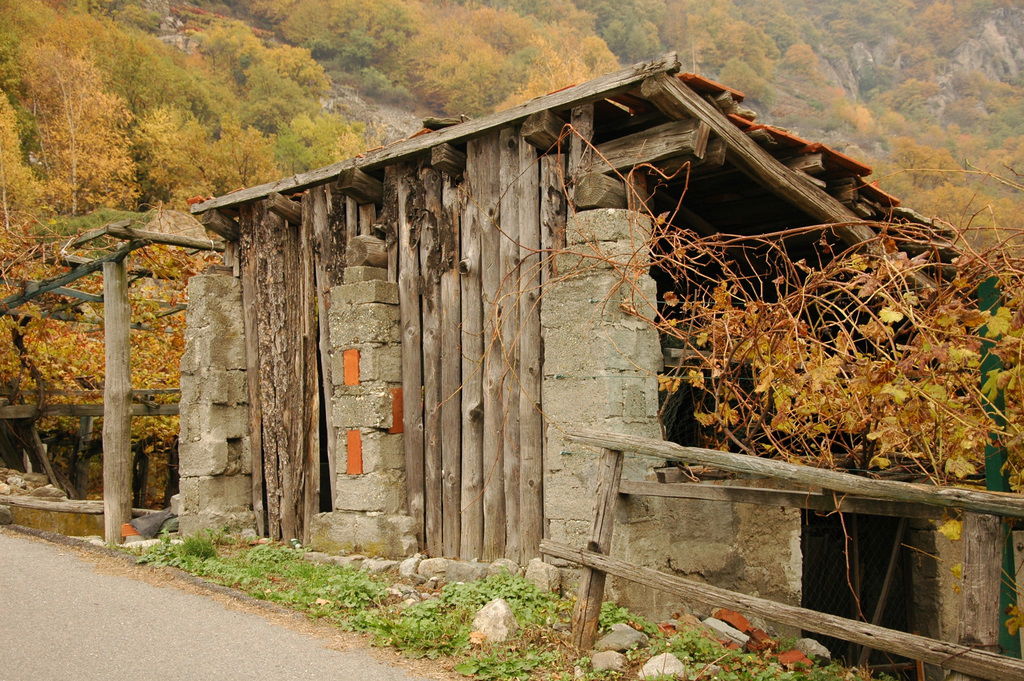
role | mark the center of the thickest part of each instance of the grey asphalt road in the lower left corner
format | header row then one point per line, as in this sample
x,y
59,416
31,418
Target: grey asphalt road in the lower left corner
x,y
61,620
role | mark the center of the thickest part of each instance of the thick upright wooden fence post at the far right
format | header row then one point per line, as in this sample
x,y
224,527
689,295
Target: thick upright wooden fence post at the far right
x,y
979,621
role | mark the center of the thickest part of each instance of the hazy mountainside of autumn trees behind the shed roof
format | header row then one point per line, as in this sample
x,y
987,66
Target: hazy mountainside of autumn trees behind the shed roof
x,y
201,100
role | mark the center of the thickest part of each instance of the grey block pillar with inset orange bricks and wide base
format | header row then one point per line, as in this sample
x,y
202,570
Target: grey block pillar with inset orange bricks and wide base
x,y
366,355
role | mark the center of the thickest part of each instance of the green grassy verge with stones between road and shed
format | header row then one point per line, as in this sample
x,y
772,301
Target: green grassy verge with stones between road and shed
x,y
441,626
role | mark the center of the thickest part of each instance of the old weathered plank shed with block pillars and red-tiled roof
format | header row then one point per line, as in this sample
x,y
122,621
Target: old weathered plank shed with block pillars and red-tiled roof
x,y
392,307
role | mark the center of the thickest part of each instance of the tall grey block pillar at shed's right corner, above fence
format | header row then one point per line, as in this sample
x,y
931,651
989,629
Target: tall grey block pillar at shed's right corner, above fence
x,y
601,362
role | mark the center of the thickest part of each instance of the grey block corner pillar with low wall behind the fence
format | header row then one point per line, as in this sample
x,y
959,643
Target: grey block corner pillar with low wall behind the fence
x,y
601,368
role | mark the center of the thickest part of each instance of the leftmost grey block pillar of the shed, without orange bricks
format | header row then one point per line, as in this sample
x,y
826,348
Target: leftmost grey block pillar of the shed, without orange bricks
x,y
215,459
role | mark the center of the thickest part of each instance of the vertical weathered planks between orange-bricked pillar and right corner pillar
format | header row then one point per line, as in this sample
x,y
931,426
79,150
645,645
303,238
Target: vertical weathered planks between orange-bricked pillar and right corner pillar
x,y
471,268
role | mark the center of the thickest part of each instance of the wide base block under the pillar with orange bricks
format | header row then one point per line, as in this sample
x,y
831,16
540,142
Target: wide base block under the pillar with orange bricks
x,y
378,535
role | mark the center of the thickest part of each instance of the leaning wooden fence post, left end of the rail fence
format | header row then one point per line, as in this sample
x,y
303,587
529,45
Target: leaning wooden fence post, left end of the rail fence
x,y
588,607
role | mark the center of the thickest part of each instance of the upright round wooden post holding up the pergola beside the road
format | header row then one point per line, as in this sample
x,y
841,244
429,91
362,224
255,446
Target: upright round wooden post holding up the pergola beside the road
x,y
117,402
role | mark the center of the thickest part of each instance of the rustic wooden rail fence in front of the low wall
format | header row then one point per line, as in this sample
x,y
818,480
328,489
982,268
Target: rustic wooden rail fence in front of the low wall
x,y
980,603
